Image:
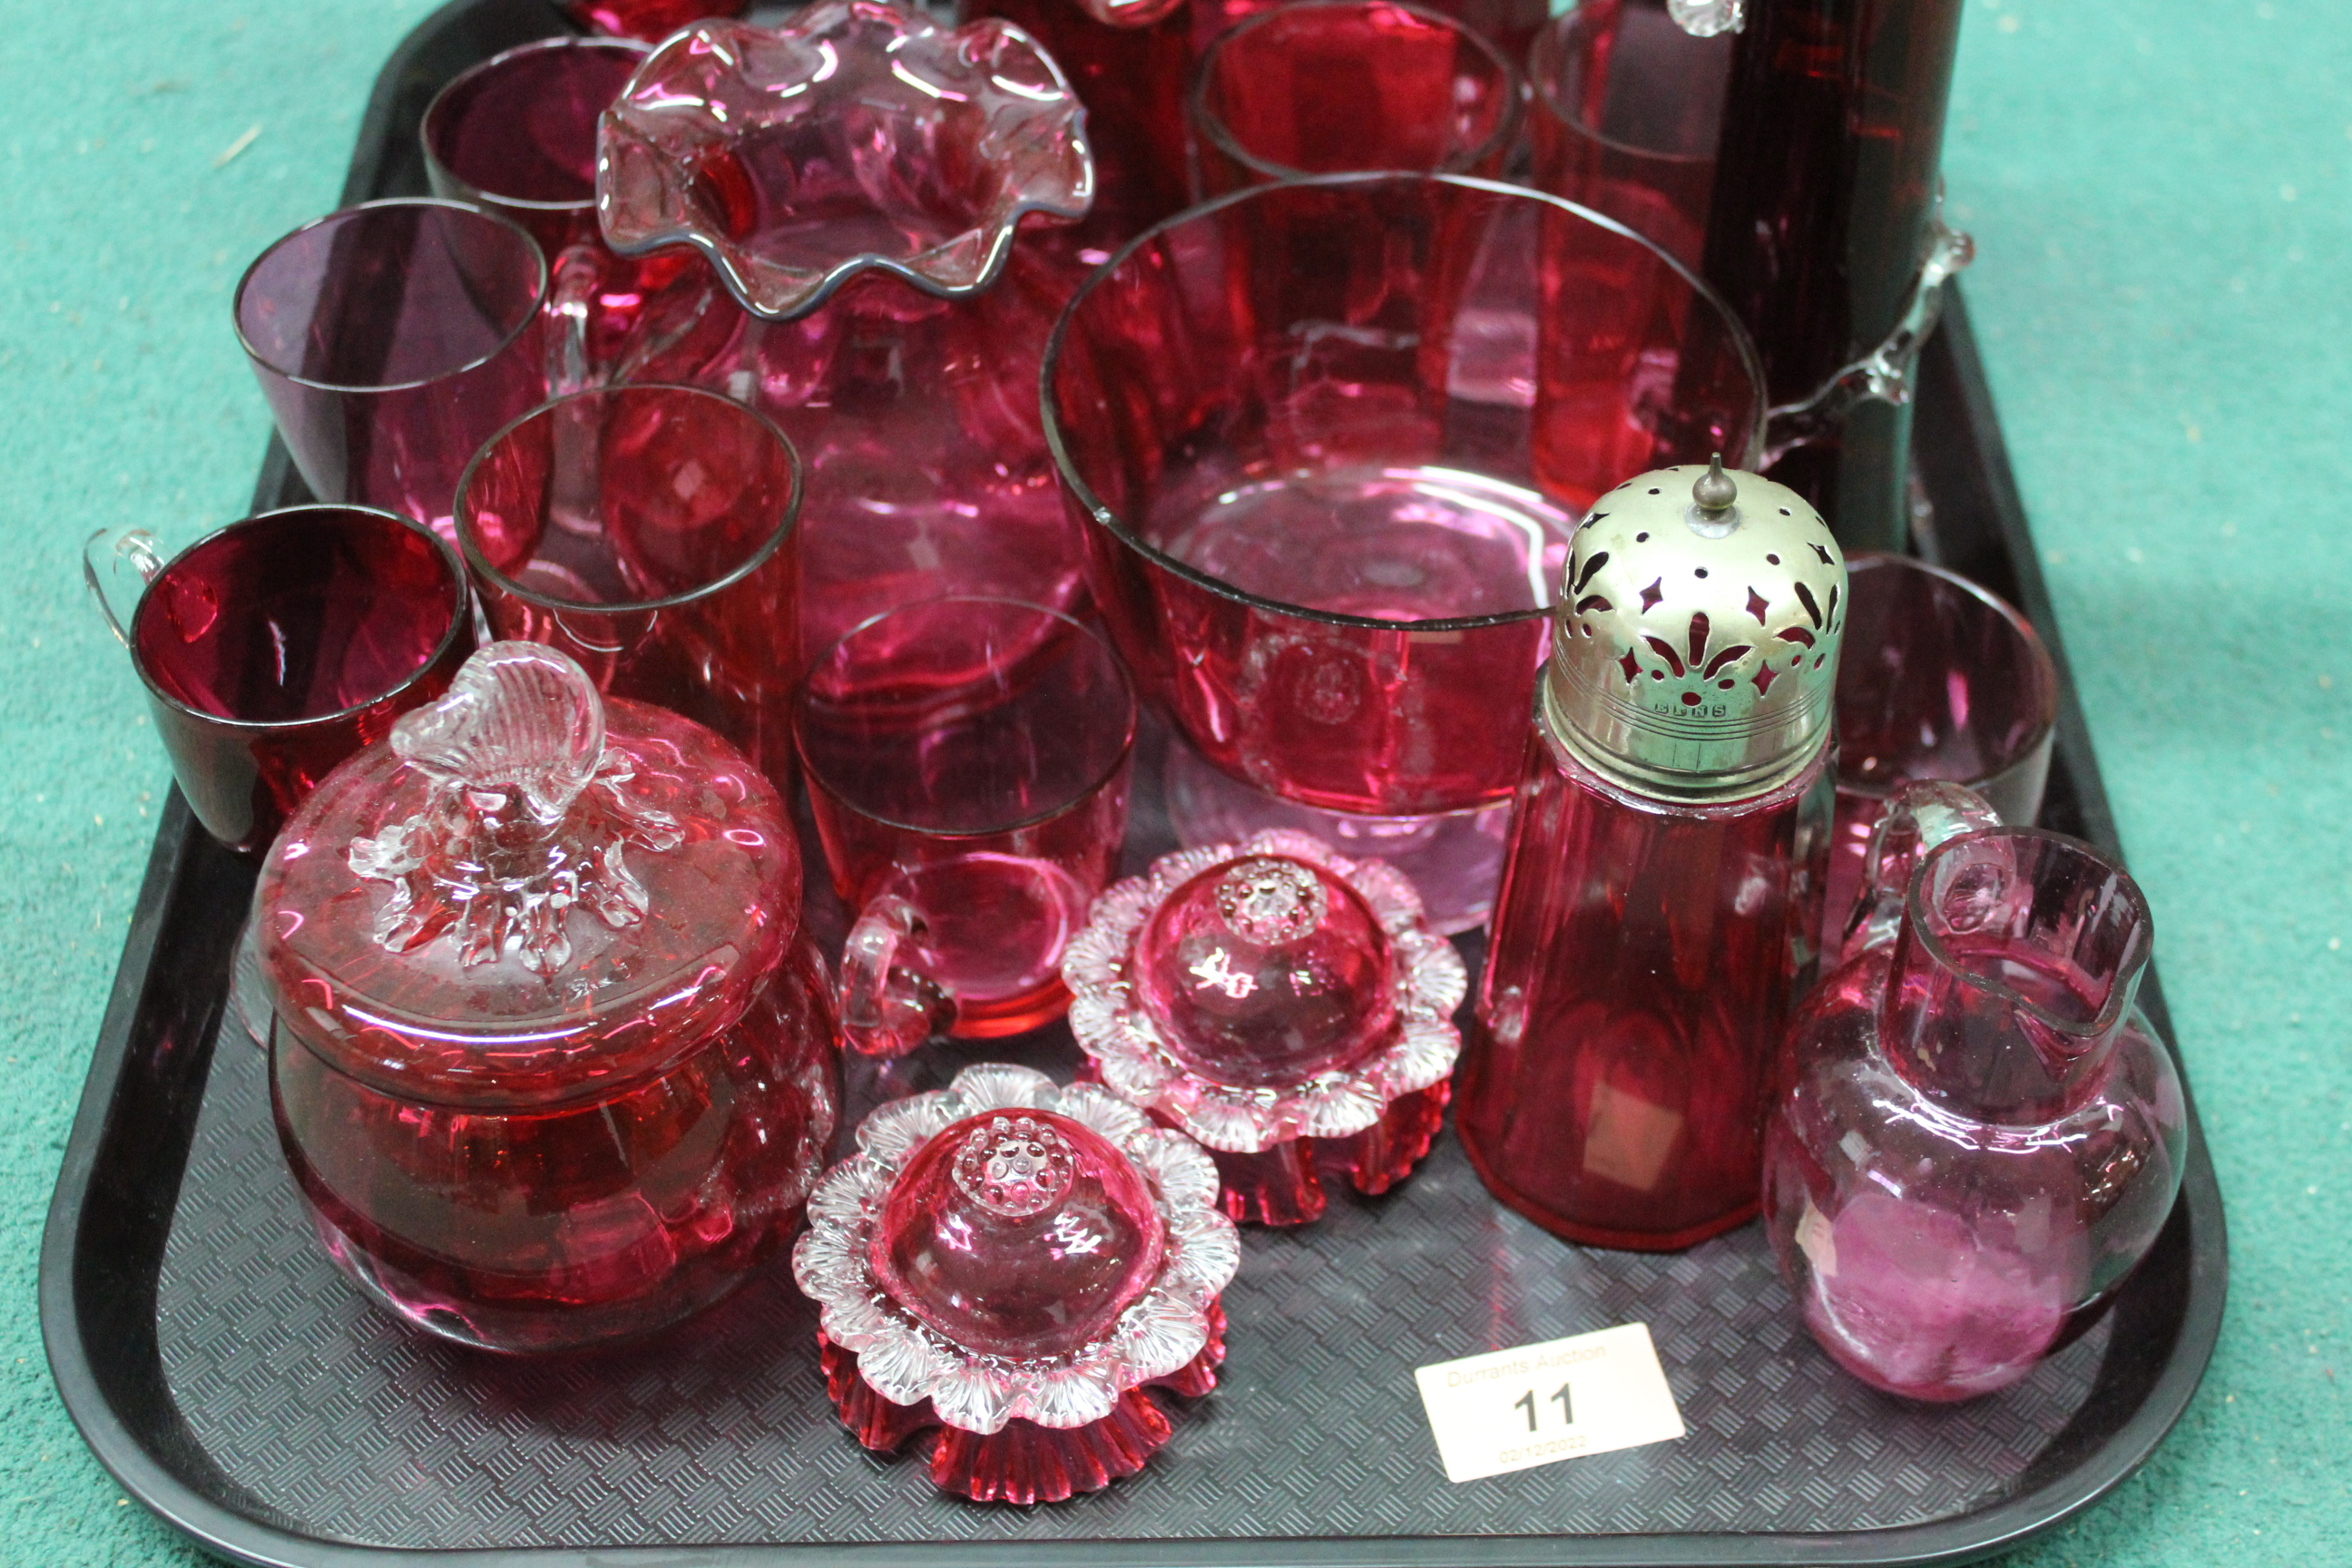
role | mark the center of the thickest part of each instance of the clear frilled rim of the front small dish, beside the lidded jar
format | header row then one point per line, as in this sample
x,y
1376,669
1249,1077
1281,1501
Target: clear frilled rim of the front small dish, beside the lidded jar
x,y
909,1362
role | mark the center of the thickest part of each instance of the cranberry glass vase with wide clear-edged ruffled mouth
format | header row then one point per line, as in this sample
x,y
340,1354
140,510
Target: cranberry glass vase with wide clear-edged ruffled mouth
x,y
857,180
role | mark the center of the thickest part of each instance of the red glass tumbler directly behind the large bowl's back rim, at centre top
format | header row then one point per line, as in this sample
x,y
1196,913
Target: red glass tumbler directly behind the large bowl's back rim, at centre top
x,y
1335,86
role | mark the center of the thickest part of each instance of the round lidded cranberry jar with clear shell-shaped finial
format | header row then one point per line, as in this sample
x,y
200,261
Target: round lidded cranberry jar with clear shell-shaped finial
x,y
554,1057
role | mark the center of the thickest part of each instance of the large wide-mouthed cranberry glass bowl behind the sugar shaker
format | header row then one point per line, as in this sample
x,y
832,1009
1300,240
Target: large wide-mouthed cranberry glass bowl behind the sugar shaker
x,y
1330,443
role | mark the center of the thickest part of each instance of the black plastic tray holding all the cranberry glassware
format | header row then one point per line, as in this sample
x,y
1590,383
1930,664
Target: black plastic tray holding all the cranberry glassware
x,y
239,1388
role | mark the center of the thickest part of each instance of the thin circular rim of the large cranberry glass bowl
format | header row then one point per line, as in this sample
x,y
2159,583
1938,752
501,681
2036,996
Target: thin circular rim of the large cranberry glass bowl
x,y
1067,469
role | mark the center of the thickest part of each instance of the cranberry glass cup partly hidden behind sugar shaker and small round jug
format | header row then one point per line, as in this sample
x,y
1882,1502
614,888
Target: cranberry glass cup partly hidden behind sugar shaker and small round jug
x,y
1942,681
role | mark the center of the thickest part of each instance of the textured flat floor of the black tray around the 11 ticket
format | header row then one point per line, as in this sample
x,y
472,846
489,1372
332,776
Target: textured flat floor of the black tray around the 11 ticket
x,y
721,1430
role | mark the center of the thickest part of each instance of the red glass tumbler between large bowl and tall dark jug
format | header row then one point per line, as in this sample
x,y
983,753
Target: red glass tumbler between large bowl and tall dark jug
x,y
1624,119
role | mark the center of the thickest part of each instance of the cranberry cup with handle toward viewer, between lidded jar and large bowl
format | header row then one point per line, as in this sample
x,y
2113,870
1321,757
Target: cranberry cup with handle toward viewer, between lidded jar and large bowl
x,y
968,770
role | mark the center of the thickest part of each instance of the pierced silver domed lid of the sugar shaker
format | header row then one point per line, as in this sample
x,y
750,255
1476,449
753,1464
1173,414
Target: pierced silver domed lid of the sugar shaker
x,y
1695,641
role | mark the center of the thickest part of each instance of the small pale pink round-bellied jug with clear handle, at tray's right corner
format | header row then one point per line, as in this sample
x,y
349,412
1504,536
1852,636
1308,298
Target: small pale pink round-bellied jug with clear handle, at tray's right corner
x,y
1982,1134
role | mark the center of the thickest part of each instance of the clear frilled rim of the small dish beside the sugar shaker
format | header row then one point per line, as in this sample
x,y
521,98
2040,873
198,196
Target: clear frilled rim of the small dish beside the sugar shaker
x,y
1114,1028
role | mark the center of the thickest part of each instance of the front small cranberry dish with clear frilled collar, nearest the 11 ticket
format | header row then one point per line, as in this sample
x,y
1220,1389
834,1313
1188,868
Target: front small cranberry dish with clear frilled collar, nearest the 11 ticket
x,y
1015,1264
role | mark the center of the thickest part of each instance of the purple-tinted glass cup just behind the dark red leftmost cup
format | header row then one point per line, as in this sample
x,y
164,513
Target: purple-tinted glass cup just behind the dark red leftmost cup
x,y
392,342
